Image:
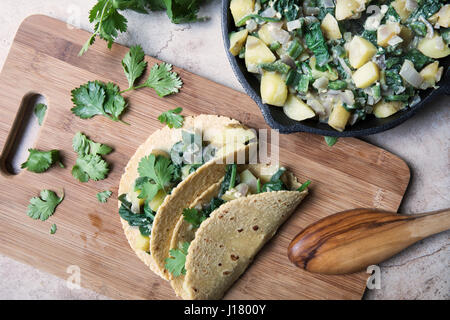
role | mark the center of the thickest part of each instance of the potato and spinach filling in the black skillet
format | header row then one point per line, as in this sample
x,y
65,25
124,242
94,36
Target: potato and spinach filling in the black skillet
x,y
339,61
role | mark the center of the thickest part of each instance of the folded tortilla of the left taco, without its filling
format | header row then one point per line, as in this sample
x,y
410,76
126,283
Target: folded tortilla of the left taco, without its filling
x,y
213,129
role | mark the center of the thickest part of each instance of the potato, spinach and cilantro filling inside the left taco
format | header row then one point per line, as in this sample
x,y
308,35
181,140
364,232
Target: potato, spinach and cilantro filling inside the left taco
x,y
159,173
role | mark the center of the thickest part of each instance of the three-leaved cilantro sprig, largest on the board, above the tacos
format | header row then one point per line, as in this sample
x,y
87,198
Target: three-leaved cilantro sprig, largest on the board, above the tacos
x,y
98,98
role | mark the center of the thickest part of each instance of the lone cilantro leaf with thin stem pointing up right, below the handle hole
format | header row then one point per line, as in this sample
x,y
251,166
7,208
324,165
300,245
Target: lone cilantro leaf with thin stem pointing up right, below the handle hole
x,y
44,206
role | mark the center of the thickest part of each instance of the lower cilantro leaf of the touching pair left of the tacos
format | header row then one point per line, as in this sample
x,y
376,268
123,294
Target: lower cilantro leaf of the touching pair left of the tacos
x,y
90,166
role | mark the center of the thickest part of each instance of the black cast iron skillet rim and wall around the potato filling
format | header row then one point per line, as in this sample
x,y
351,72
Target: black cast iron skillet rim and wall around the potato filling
x,y
276,118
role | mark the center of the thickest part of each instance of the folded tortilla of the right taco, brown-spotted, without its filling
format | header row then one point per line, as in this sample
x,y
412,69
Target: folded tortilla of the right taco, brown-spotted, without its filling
x,y
225,244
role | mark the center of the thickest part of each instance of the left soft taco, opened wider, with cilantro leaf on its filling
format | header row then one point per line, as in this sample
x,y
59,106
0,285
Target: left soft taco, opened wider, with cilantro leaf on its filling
x,y
168,170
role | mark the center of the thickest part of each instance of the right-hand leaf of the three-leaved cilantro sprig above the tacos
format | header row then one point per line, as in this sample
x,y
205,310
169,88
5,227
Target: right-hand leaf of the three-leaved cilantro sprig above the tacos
x,y
163,80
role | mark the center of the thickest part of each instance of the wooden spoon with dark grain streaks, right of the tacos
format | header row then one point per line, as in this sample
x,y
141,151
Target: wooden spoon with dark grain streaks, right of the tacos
x,y
350,241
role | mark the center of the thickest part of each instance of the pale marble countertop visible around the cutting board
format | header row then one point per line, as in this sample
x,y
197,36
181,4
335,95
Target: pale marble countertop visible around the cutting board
x,y
420,272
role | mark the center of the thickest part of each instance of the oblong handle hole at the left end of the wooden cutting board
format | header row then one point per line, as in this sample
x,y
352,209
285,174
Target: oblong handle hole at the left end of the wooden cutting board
x,y
22,135
